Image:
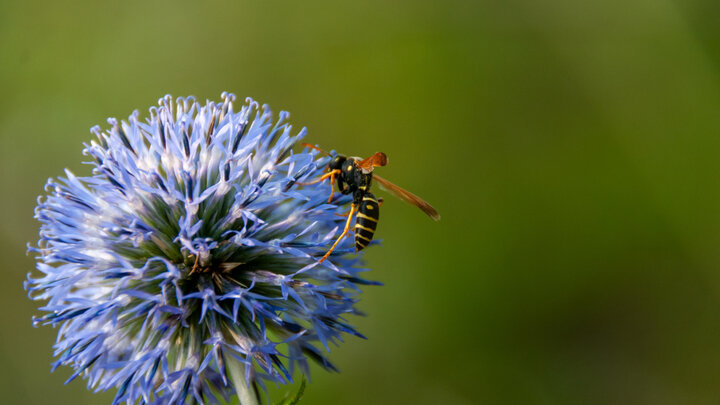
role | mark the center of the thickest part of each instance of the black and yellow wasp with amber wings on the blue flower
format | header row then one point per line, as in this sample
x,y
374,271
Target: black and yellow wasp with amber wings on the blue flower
x,y
354,175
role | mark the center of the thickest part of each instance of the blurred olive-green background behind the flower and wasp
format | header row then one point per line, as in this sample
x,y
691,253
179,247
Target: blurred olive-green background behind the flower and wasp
x,y
571,147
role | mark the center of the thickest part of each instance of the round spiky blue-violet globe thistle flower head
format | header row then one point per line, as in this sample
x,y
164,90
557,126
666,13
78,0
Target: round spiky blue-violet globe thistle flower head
x,y
185,268
